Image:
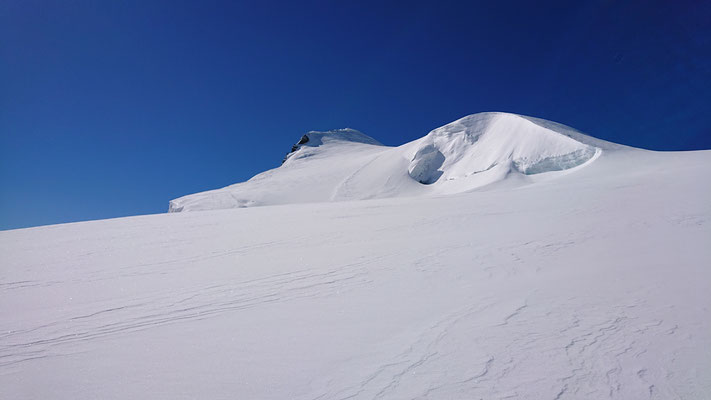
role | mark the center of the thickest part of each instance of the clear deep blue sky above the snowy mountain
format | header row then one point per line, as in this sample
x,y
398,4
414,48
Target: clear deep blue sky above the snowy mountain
x,y
112,108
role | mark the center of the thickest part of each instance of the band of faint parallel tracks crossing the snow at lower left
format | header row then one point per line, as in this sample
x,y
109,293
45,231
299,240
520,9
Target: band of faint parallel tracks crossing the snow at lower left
x,y
196,304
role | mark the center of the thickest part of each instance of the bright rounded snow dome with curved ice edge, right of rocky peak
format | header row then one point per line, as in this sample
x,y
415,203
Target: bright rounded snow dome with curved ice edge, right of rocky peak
x,y
485,148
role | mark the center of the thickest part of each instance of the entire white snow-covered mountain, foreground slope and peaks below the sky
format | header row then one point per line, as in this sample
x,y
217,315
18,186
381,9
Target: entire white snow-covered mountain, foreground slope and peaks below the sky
x,y
534,263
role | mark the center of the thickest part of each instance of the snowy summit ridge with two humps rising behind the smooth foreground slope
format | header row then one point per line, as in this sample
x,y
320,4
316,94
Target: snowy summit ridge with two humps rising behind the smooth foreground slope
x,y
470,153
